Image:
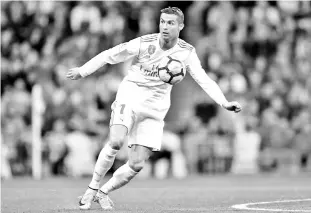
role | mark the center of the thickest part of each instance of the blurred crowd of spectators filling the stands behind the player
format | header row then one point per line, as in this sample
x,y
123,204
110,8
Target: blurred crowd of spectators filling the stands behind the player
x,y
258,52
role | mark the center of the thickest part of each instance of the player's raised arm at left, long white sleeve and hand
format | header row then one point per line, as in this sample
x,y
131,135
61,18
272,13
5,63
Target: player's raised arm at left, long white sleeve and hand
x,y
117,54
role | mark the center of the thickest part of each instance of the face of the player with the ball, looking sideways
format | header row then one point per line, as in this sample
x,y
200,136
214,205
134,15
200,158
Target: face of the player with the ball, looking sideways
x,y
169,26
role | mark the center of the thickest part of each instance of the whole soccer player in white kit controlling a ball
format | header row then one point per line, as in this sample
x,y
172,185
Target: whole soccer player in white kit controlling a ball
x,y
142,101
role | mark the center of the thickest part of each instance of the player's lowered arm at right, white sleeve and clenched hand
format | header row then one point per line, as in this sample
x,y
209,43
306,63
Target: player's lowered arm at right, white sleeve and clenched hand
x,y
195,69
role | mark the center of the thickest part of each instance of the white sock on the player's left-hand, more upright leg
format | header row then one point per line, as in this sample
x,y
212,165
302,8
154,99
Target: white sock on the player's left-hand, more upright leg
x,y
103,164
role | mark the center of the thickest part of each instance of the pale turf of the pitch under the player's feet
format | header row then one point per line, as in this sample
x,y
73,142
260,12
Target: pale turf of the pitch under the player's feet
x,y
194,194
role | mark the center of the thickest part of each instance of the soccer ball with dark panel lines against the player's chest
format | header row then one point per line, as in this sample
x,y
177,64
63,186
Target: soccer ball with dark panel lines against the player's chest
x,y
171,71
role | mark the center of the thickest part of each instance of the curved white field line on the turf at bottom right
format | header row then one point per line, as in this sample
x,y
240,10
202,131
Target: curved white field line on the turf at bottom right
x,y
245,206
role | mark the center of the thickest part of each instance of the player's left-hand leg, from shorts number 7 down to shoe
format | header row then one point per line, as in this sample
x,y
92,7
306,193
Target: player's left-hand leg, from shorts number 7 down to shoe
x,y
121,122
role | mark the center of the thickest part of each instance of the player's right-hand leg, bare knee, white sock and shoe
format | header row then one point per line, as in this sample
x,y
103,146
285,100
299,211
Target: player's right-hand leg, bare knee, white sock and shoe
x,y
138,155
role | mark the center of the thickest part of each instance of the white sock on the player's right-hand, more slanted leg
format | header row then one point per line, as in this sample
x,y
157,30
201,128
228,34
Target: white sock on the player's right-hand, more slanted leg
x,y
120,177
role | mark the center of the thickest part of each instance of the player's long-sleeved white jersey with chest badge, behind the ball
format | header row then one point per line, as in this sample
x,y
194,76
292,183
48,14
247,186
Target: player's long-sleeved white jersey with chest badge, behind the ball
x,y
142,86
